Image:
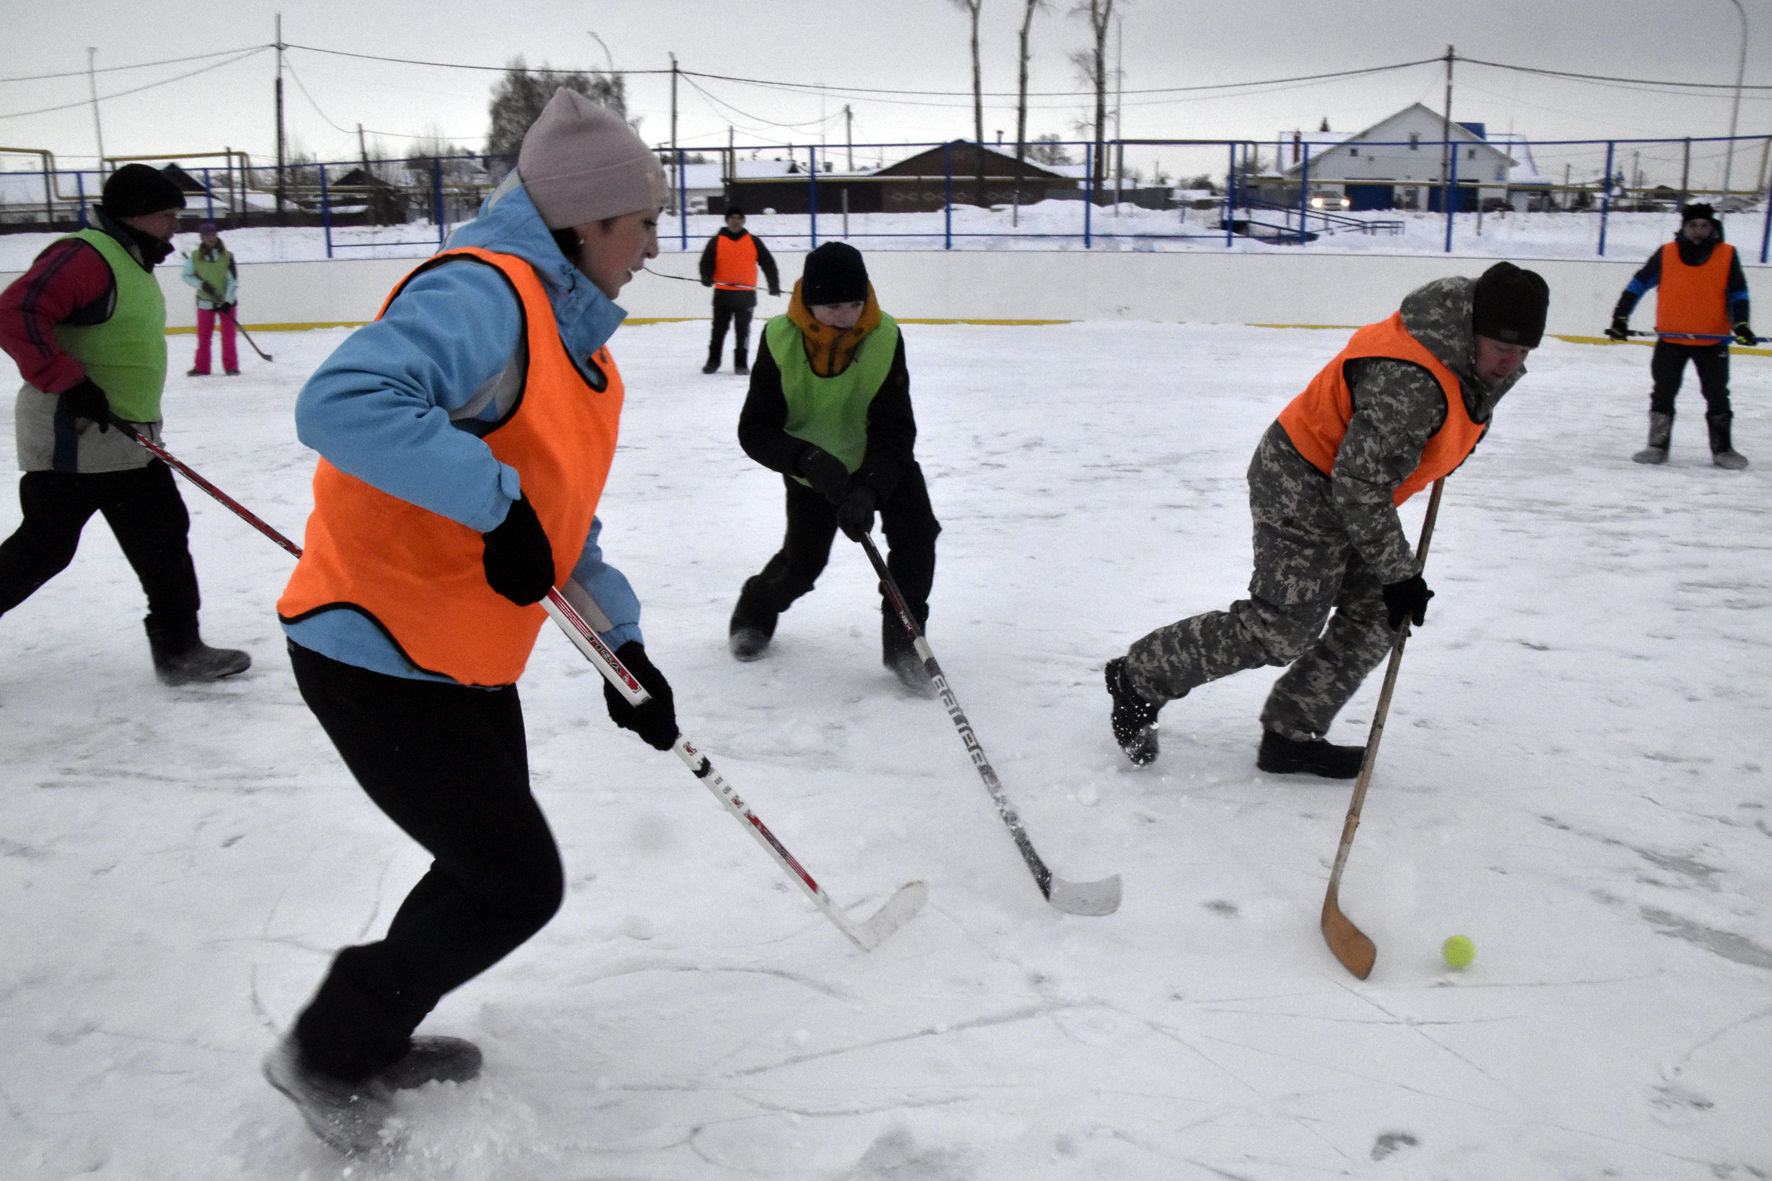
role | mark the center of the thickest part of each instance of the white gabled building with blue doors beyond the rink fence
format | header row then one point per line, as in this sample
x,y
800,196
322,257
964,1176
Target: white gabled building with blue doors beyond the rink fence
x,y
1401,162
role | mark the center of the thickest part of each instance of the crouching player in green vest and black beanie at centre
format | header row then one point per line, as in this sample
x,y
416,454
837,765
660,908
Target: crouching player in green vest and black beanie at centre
x,y
830,409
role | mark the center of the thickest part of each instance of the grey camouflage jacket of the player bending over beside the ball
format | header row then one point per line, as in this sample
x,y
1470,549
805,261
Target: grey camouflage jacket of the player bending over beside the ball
x,y
1397,411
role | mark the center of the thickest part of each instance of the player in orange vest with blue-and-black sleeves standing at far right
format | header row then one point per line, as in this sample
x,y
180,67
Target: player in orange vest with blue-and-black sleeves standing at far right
x,y
1702,304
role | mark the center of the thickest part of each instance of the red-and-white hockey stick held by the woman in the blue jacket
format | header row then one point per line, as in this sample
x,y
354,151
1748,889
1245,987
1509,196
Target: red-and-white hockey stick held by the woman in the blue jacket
x,y
869,934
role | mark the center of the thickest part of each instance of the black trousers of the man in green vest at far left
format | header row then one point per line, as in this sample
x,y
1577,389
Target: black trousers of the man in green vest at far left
x,y
146,513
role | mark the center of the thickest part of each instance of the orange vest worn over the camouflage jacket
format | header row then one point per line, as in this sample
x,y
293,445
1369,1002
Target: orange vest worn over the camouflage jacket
x,y
1316,421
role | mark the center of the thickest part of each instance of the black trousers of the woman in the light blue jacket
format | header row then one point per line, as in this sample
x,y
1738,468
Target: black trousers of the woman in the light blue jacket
x,y
449,765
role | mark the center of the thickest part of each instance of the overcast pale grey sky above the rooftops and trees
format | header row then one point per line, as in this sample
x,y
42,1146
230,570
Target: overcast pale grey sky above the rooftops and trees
x,y
901,66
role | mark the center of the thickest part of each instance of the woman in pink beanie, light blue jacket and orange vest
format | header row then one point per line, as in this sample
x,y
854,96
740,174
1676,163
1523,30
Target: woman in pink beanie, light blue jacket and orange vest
x,y
465,437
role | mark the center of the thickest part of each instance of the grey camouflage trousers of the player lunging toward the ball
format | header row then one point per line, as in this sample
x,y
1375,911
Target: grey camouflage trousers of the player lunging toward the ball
x,y
1307,575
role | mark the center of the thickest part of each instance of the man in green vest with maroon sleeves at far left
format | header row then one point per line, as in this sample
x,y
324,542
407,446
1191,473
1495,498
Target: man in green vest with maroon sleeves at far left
x,y
88,329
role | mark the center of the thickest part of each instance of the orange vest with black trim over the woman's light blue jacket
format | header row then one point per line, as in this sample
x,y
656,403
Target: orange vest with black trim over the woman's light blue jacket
x,y
421,575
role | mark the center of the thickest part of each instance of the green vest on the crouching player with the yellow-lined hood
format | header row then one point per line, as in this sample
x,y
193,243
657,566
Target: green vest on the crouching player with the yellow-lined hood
x,y
832,412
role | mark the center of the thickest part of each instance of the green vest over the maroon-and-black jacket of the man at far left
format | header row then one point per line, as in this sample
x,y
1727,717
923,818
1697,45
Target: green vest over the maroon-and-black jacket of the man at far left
x,y
127,356
